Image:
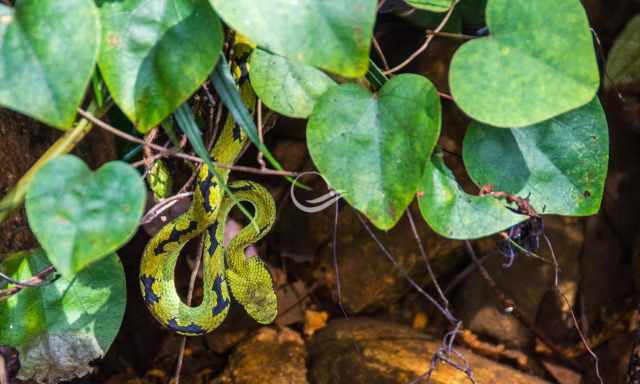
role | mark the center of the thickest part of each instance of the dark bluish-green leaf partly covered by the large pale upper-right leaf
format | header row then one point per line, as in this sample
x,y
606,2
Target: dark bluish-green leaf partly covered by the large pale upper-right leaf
x,y
561,163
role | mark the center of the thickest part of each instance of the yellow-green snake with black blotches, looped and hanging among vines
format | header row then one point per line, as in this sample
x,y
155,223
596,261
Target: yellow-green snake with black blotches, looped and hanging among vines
x,y
225,267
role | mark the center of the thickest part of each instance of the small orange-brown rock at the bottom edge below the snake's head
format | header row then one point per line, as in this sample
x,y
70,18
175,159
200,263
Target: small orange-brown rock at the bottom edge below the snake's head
x,y
269,356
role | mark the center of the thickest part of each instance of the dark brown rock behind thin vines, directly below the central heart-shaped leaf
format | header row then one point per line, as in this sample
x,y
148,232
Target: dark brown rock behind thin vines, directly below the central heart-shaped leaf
x,y
368,279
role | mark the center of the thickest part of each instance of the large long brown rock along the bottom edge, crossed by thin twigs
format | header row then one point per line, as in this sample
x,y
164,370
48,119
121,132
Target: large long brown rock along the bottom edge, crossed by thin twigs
x,y
374,352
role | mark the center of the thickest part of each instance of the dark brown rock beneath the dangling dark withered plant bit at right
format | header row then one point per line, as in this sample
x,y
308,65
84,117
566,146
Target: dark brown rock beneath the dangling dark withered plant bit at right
x,y
526,283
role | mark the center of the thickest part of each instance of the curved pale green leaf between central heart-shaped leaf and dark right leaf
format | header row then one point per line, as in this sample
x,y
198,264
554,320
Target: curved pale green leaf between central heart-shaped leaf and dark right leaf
x,y
455,214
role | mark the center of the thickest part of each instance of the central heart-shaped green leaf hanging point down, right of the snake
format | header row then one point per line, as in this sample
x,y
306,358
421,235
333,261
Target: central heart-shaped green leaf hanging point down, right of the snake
x,y
374,148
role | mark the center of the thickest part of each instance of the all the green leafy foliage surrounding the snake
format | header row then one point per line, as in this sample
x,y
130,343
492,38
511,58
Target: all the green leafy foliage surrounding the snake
x,y
529,86
